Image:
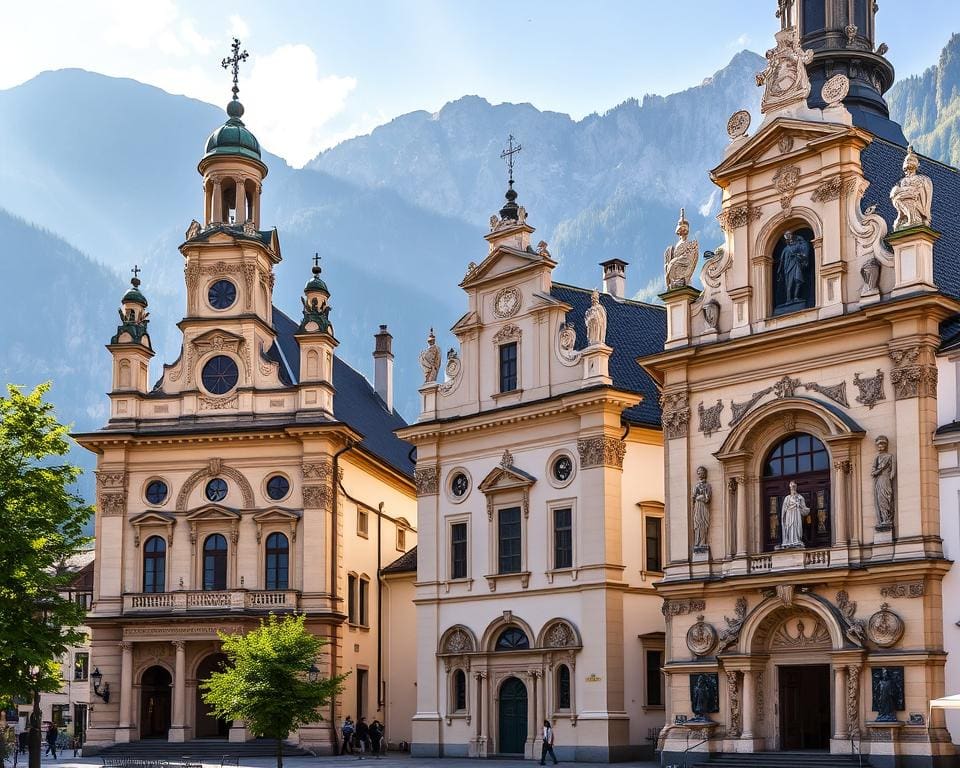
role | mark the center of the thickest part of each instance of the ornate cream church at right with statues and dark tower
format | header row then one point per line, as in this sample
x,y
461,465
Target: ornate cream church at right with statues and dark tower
x,y
806,578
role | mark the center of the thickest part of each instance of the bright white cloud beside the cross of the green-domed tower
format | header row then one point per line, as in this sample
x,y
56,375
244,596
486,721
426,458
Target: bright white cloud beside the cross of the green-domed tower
x,y
288,102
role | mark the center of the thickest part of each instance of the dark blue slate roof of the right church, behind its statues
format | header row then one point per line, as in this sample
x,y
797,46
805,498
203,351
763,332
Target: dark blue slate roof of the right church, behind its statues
x,y
882,164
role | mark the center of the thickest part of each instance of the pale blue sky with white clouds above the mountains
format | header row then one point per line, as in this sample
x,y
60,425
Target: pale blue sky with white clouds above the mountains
x,y
324,71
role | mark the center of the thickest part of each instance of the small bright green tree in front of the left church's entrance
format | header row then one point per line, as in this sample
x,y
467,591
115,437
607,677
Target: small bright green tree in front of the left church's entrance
x,y
269,680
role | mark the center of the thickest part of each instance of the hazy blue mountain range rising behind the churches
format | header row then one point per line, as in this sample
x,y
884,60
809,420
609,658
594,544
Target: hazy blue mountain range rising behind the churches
x,y
99,173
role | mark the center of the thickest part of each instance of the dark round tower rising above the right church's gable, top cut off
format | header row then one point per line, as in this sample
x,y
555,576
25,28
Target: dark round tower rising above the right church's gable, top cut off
x,y
842,36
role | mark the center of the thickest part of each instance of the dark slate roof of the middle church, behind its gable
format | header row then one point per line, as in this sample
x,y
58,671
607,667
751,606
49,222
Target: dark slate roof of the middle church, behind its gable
x,y
634,330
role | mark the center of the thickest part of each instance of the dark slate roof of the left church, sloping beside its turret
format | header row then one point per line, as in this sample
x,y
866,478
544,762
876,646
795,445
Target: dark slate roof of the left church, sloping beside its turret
x,y
355,403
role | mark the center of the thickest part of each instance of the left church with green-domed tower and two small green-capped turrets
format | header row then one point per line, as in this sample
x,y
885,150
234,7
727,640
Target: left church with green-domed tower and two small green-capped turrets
x,y
259,475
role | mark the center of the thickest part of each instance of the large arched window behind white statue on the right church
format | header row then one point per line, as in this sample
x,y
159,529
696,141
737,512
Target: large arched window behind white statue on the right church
x,y
802,459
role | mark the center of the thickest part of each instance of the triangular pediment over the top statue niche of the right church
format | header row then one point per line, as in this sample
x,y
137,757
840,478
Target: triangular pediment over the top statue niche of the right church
x,y
780,138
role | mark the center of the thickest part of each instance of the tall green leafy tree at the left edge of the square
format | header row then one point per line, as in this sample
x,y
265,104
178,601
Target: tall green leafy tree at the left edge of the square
x,y
42,526
